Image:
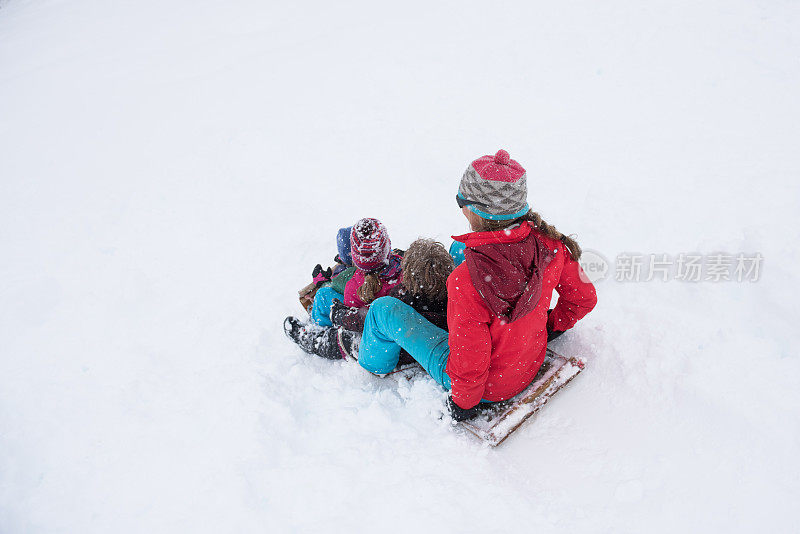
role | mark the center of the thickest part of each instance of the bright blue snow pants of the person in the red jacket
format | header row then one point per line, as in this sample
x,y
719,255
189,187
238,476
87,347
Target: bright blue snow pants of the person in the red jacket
x,y
392,325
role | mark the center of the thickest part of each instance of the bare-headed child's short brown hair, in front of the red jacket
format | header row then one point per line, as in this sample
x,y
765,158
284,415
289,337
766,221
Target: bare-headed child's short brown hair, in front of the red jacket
x,y
426,266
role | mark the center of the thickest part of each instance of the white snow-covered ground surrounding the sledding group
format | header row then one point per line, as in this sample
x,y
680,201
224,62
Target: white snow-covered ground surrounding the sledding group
x,y
171,171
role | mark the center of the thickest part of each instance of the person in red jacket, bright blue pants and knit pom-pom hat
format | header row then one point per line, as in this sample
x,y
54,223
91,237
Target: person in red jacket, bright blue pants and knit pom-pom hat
x,y
498,298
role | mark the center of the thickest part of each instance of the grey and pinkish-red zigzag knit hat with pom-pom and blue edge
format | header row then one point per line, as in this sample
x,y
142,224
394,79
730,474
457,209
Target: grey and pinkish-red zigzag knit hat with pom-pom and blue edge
x,y
494,187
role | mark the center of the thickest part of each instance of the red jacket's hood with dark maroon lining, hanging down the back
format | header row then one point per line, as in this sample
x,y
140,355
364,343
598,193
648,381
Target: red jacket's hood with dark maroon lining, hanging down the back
x,y
506,268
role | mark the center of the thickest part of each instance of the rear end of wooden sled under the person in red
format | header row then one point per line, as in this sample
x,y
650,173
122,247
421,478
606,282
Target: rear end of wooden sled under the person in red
x,y
499,420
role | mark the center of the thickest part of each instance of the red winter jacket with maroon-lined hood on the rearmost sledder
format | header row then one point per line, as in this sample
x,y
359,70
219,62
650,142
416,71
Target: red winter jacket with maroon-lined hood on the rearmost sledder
x,y
497,310
